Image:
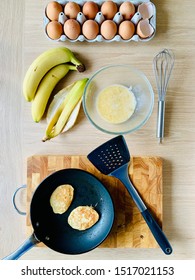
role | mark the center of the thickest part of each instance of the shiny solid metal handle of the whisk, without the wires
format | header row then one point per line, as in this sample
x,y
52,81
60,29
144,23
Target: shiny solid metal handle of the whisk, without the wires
x,y
160,120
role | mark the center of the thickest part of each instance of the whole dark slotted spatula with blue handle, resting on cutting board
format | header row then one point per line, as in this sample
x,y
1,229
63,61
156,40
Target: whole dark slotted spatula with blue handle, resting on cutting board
x,y
112,158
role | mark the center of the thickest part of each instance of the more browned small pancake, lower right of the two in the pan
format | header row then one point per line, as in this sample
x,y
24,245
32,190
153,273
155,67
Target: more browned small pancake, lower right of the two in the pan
x,y
83,217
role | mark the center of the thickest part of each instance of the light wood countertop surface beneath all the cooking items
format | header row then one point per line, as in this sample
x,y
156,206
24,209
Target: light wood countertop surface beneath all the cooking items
x,y
22,39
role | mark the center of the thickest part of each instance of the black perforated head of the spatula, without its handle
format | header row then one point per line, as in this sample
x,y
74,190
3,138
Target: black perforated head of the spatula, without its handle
x,y
111,155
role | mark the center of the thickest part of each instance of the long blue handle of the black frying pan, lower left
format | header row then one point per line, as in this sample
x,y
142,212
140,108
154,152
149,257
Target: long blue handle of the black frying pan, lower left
x,y
29,243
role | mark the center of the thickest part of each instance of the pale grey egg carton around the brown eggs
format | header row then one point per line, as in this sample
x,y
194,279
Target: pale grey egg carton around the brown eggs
x,y
117,18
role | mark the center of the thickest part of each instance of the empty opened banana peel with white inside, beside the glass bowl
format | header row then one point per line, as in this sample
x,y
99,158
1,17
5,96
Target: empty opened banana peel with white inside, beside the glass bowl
x,y
64,109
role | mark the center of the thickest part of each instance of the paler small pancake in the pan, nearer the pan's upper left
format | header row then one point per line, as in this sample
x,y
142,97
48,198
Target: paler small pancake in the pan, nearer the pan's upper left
x,y
61,198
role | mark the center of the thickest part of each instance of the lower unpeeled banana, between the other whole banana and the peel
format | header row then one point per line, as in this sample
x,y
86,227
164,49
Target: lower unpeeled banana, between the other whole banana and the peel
x,y
46,87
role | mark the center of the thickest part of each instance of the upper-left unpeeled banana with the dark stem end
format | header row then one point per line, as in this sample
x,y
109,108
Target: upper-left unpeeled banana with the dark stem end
x,y
42,64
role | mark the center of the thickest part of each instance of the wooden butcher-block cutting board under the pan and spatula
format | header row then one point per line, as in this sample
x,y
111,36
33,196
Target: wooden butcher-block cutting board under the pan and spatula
x,y
129,230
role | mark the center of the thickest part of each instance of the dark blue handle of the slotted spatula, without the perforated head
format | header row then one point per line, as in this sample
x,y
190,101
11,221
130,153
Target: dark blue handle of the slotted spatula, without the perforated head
x,y
122,174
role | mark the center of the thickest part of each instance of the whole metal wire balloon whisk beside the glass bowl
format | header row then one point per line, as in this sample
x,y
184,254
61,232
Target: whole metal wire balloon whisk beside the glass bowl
x,y
163,64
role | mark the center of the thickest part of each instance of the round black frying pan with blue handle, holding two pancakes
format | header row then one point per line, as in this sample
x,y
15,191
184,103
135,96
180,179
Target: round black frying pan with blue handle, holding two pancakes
x,y
53,229
